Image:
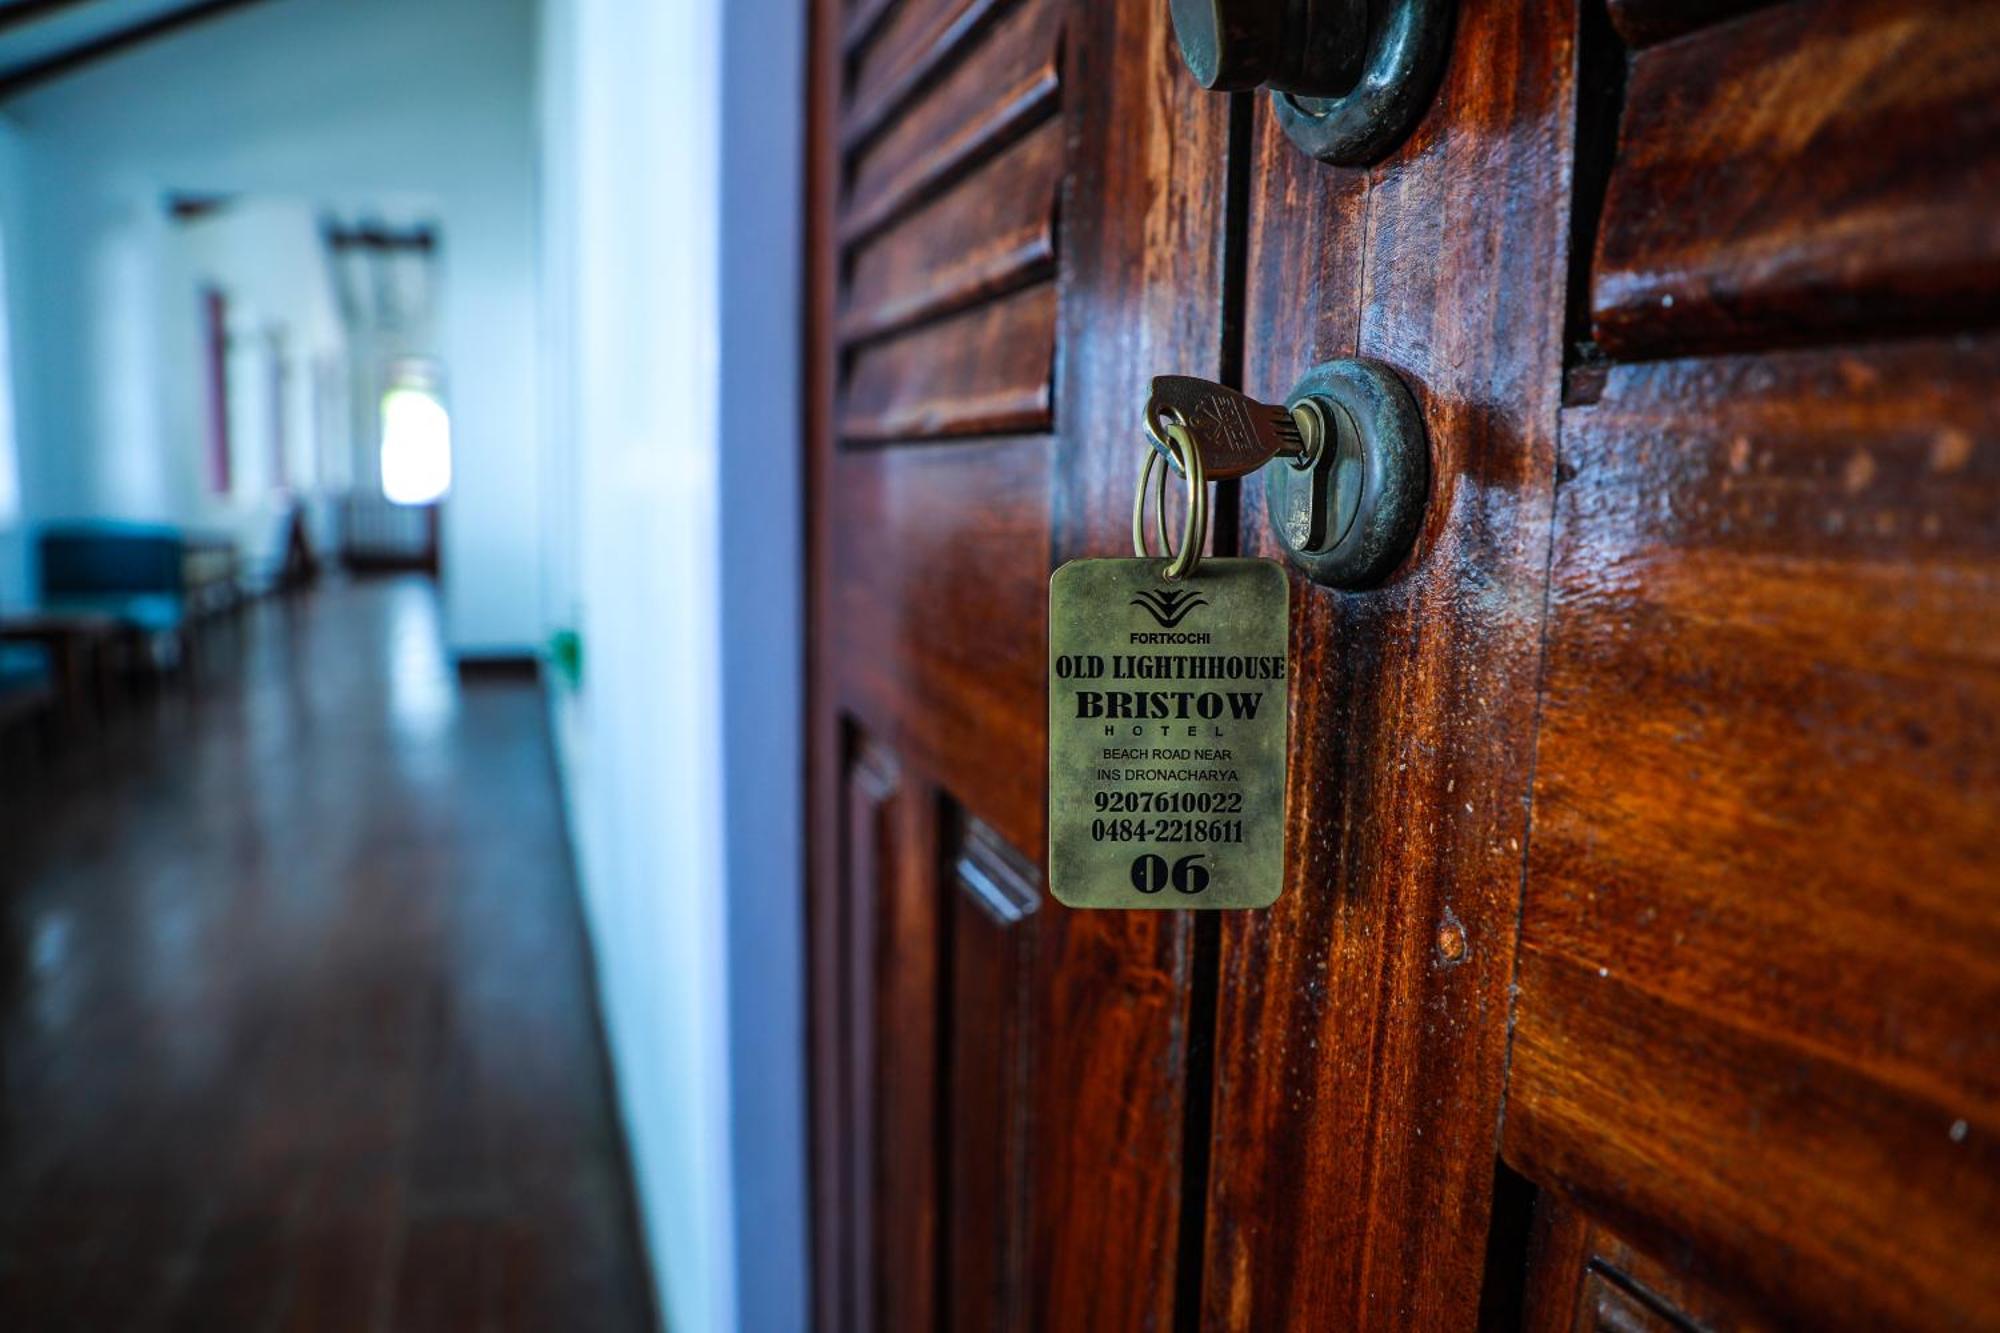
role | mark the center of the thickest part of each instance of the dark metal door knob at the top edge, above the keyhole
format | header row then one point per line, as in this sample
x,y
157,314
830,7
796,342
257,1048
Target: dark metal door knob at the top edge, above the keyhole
x,y
1349,79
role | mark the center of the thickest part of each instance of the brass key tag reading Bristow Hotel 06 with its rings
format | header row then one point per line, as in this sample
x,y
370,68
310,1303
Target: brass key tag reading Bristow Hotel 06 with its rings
x,y
1167,708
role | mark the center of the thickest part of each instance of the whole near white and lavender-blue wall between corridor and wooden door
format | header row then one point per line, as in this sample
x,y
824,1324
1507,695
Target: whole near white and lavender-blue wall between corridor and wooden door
x,y
671,289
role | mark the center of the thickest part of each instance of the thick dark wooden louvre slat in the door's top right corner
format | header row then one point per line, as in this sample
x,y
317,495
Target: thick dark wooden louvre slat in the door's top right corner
x,y
1815,171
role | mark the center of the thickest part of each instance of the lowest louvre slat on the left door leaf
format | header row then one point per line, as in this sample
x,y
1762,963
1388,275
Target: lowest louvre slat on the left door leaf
x,y
979,373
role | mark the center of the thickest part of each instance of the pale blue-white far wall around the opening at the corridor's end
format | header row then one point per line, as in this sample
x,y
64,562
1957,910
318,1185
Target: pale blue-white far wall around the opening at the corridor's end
x,y
307,99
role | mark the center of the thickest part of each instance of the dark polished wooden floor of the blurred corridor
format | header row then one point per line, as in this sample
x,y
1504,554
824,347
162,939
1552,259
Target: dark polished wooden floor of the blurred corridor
x,y
297,1022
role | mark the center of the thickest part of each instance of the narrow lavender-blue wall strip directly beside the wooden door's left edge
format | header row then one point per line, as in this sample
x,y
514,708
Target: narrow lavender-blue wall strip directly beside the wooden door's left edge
x,y
763,563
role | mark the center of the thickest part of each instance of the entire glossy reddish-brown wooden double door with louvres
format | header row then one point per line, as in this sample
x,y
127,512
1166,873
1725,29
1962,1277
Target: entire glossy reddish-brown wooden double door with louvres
x,y
1641,938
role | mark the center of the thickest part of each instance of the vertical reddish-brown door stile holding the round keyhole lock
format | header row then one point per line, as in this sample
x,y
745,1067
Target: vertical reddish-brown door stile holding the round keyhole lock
x,y
1359,1070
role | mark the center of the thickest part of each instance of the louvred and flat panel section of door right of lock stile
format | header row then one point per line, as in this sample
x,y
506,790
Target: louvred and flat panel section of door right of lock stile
x,y
1753,1044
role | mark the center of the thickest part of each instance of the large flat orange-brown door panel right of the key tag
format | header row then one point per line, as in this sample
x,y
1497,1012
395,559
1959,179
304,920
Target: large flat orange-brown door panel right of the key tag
x,y
1771,635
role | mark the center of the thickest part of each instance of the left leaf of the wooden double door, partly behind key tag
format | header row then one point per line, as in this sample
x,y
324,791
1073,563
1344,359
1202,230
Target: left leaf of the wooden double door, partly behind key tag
x,y
953,301
